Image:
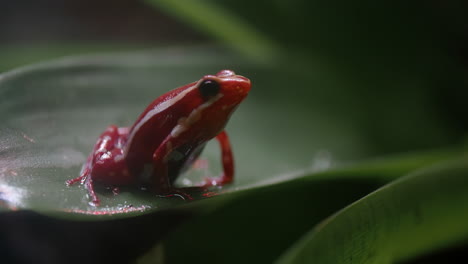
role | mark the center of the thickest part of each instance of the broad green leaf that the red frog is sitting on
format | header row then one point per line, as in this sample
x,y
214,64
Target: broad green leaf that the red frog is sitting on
x,y
53,112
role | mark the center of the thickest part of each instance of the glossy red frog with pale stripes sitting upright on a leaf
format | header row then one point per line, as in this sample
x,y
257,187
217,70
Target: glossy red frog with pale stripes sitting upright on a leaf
x,y
168,137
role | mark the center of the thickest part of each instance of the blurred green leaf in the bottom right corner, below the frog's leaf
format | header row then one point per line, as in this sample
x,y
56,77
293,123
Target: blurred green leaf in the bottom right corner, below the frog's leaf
x,y
423,211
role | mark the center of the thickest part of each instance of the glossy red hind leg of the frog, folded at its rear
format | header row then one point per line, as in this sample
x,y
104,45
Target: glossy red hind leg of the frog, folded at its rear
x,y
105,163
